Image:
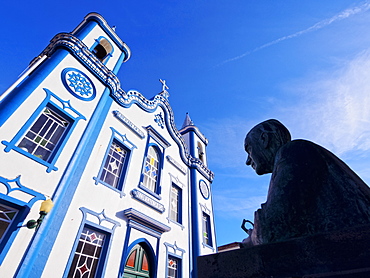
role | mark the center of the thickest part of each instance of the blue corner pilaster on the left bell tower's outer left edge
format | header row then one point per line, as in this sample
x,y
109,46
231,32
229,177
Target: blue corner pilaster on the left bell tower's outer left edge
x,y
14,100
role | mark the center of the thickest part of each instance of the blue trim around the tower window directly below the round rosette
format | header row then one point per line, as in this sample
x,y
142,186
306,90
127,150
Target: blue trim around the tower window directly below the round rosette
x,y
60,109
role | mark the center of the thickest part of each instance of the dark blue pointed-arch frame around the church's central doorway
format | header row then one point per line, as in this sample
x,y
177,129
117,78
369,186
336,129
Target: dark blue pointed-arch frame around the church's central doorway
x,y
152,257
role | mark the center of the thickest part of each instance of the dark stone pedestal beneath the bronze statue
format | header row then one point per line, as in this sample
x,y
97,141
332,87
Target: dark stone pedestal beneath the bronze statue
x,y
344,254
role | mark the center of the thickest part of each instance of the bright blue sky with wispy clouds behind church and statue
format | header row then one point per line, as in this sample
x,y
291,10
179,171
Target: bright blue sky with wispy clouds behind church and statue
x,y
231,65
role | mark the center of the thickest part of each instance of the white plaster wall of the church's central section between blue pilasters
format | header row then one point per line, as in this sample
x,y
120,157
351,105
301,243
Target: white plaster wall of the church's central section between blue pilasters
x,y
99,197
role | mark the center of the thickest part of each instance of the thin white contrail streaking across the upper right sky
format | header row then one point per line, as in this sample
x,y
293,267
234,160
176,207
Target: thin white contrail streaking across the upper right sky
x,y
321,24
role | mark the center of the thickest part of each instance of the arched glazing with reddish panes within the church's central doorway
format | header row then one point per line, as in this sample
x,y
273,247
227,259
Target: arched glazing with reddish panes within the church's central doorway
x,y
137,263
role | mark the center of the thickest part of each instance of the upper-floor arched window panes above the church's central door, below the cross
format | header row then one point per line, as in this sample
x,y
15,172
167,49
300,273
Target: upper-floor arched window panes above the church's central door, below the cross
x,y
151,169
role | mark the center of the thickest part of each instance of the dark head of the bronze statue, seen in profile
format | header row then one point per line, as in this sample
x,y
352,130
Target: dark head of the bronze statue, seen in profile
x,y
262,143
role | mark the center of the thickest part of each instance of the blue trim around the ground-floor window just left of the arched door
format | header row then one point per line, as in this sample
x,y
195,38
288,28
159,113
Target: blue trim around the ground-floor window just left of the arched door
x,y
107,242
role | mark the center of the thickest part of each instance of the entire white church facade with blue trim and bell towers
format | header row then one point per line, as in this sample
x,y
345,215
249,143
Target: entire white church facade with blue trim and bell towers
x,y
131,193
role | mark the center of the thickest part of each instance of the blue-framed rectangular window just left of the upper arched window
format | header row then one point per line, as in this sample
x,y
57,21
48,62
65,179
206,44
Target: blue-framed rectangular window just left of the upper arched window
x,y
116,160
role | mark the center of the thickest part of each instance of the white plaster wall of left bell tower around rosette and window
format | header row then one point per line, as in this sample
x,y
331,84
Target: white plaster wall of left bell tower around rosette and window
x,y
33,174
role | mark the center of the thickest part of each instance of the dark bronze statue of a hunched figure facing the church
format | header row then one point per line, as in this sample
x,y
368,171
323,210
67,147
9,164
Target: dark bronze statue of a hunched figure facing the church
x,y
311,190
